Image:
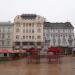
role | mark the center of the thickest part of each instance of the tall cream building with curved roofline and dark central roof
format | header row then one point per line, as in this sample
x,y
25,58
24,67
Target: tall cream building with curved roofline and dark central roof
x,y
28,31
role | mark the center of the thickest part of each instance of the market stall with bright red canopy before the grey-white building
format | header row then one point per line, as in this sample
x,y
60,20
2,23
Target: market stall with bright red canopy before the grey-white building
x,y
54,55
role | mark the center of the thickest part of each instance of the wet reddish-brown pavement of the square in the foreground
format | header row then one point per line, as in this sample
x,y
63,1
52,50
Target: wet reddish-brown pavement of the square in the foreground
x,y
20,67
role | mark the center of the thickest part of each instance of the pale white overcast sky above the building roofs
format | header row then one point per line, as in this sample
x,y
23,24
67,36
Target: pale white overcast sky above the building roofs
x,y
52,10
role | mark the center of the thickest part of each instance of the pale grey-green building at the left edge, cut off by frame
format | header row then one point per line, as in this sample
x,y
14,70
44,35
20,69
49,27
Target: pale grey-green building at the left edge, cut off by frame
x,y
6,34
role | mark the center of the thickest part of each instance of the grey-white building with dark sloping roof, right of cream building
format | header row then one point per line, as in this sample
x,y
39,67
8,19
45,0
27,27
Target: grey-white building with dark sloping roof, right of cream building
x,y
58,34
